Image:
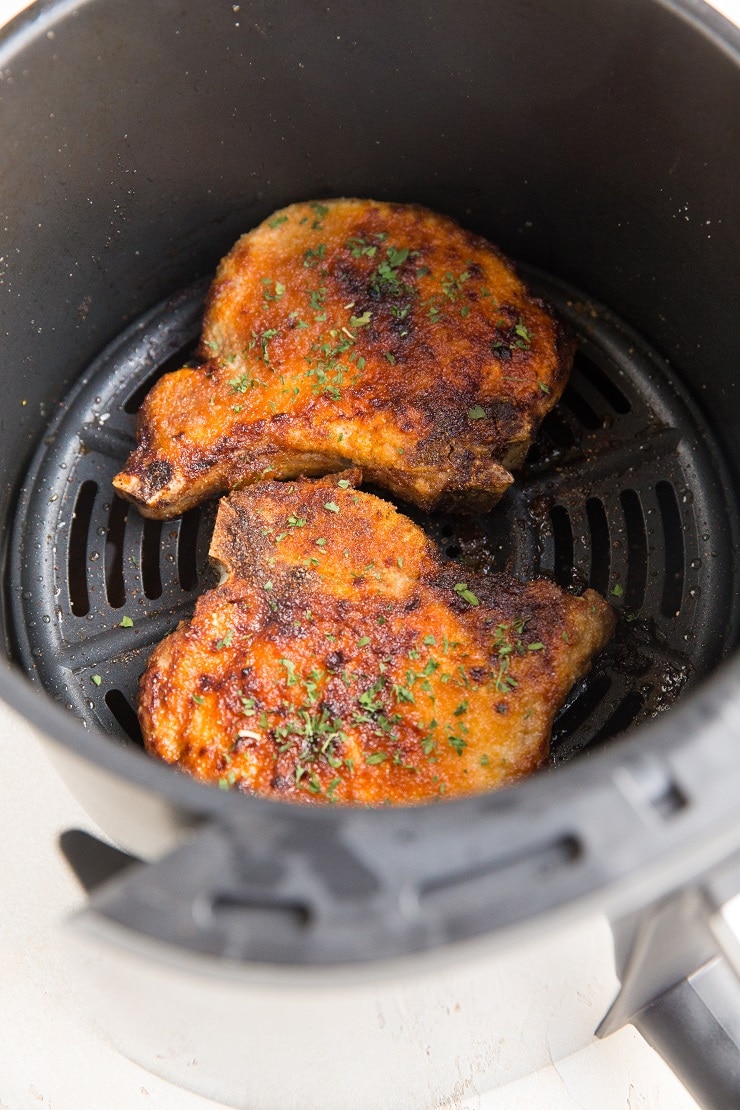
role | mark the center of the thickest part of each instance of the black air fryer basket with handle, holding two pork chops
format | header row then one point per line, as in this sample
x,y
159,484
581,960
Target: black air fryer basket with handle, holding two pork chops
x,y
599,146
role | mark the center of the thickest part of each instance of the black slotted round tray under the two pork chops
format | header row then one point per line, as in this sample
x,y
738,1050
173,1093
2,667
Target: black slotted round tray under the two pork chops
x,y
623,491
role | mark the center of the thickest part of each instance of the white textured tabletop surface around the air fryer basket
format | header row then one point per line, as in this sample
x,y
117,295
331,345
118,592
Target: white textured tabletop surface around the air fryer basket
x,y
53,1055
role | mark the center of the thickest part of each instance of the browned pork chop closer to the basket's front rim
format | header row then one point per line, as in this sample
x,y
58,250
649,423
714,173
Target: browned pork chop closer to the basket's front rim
x,y
342,660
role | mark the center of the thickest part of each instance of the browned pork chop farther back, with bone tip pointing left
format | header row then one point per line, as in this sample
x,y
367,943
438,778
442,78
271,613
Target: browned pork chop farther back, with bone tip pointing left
x,y
356,332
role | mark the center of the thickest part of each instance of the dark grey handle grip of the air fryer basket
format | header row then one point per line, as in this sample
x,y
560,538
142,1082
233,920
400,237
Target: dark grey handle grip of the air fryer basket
x,y
696,1028
